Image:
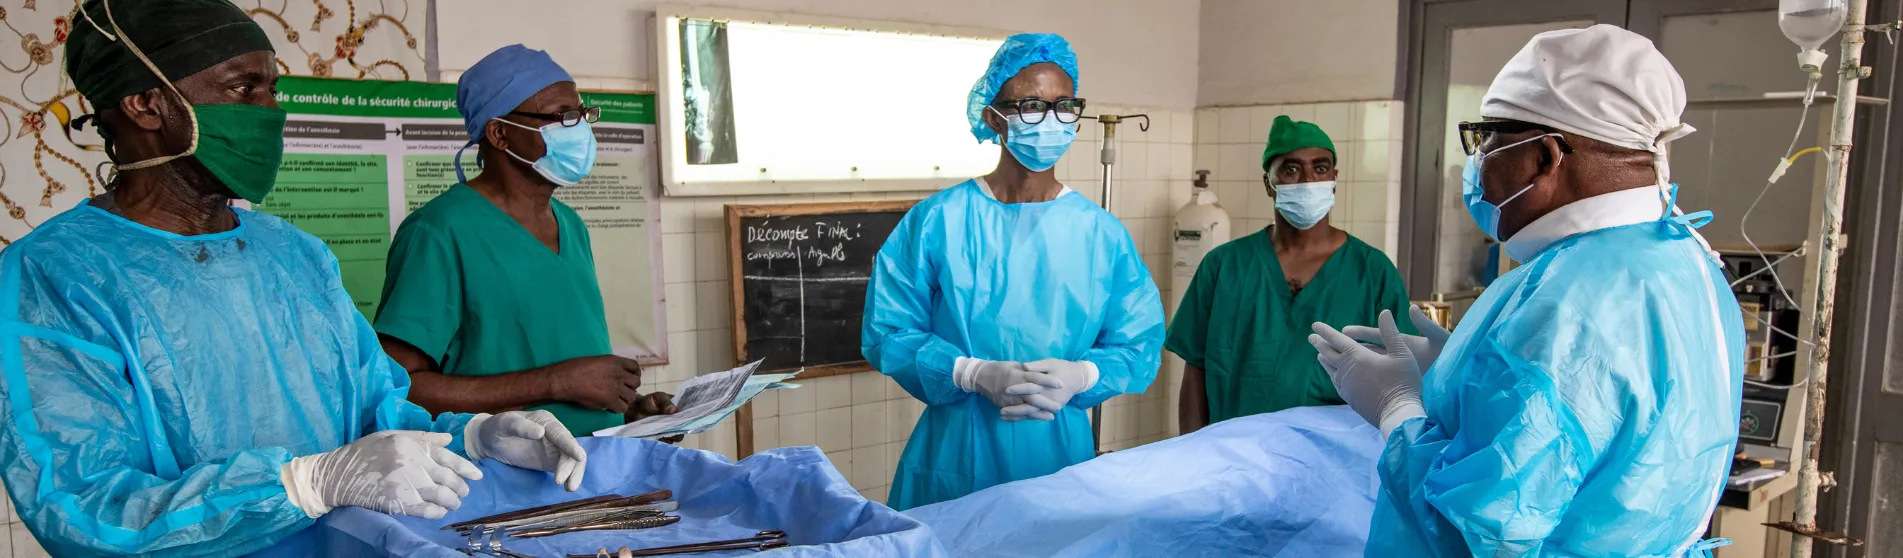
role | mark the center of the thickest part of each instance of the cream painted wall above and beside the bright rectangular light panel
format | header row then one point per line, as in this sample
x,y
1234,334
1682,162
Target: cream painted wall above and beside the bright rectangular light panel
x,y
1133,52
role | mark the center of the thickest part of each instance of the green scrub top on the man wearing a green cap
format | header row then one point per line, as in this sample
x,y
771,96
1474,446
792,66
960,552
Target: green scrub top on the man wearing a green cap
x,y
1249,334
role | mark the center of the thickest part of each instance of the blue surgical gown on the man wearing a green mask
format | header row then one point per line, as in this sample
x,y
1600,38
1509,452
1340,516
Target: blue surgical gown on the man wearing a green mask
x,y
155,384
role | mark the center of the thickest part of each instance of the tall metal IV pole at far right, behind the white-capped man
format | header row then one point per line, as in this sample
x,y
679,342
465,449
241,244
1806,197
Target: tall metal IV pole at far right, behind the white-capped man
x,y
1837,155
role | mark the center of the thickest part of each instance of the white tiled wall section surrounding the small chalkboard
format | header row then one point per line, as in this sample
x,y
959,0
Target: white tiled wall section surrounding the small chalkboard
x,y
865,420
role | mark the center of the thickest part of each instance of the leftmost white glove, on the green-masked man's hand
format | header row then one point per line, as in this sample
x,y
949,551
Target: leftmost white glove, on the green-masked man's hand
x,y
395,471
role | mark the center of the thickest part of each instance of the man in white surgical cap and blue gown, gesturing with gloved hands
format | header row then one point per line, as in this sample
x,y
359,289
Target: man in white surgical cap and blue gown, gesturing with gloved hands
x,y
1588,405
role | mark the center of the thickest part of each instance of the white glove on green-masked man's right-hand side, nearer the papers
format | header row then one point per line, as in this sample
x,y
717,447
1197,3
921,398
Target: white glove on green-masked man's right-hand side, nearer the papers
x,y
530,441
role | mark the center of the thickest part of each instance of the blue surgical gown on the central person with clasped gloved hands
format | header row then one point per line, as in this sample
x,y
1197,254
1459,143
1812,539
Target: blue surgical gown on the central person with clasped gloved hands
x,y
966,275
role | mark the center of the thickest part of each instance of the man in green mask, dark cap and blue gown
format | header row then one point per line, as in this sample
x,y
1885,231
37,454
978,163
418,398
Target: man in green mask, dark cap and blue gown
x,y
191,380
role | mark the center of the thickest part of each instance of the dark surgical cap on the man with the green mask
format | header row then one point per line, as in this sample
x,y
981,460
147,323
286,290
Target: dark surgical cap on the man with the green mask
x,y
182,37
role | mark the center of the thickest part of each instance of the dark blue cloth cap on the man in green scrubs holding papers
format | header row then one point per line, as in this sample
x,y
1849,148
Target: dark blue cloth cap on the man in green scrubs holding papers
x,y
498,85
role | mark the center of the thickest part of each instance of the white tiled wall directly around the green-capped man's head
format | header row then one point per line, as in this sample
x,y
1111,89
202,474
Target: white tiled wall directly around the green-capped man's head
x,y
1367,140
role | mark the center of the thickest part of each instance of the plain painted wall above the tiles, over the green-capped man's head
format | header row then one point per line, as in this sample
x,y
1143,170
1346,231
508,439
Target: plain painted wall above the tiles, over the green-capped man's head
x,y
1297,52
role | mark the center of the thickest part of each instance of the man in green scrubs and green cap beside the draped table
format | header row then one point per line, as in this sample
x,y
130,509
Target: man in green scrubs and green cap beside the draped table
x,y
1246,319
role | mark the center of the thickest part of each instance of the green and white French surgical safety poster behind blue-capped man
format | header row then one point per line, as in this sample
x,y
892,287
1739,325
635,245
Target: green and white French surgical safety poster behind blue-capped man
x,y
363,155
